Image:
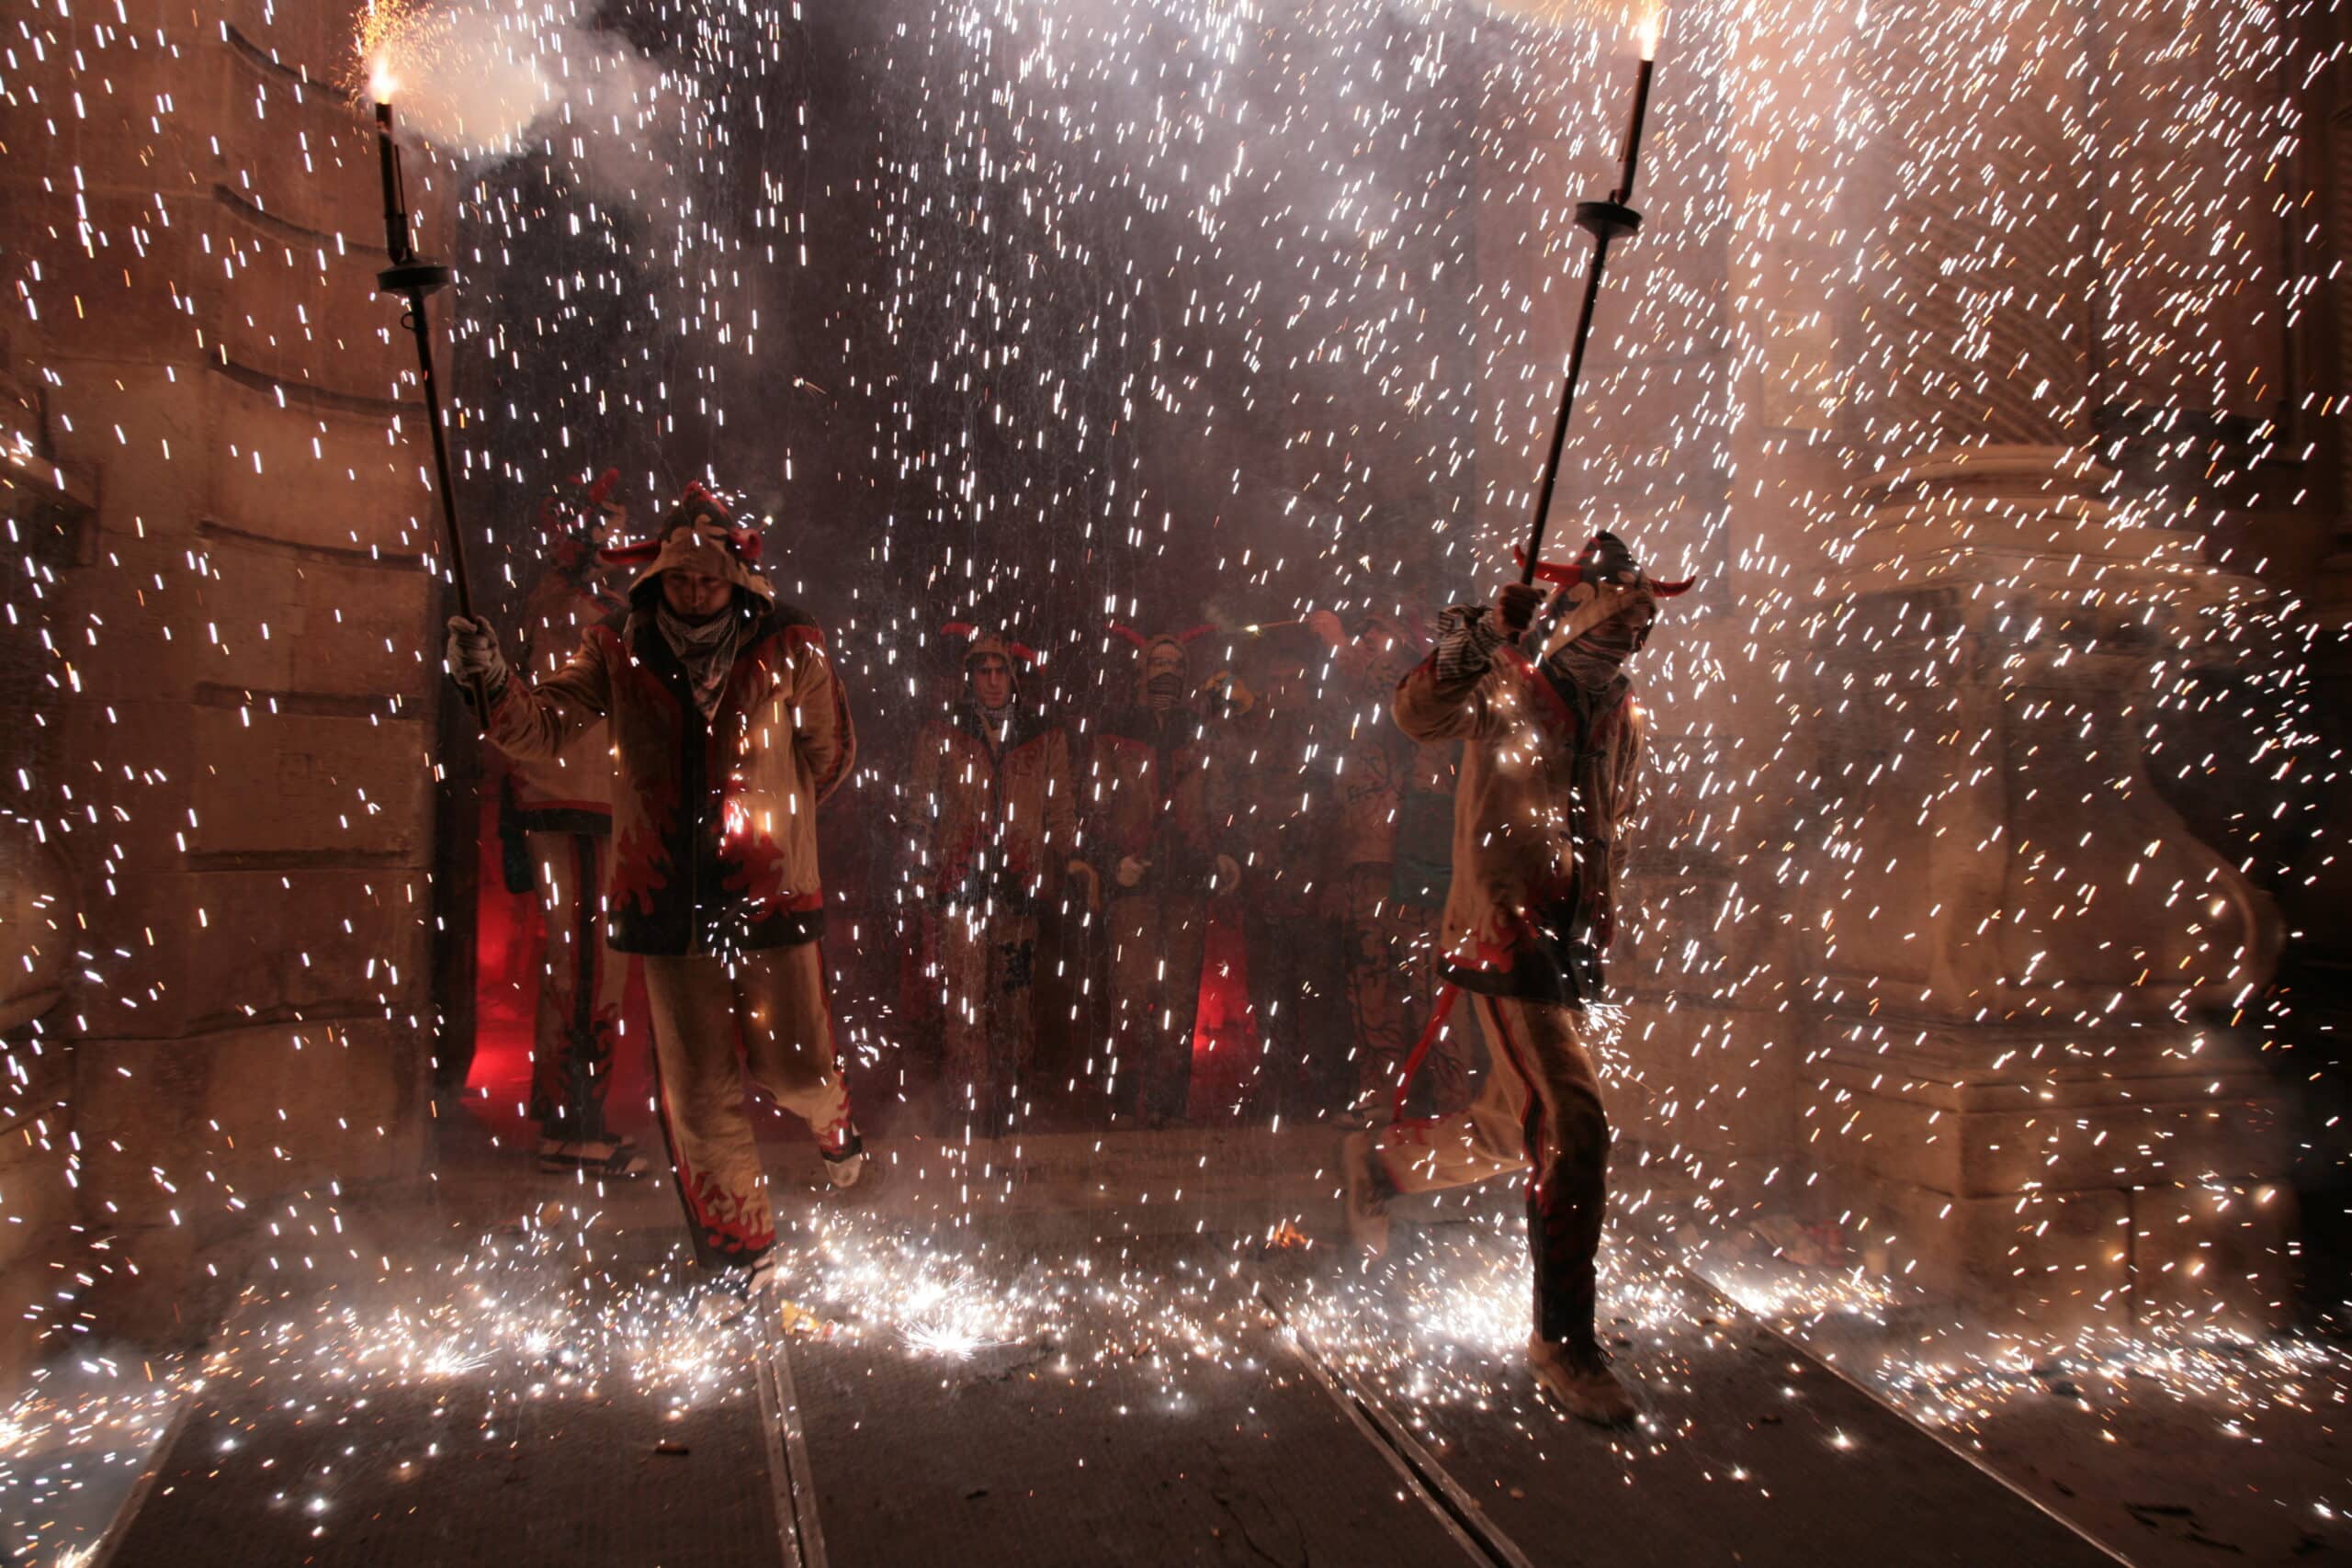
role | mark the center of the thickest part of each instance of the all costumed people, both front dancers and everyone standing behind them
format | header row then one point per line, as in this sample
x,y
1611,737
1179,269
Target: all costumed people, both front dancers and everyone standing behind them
x,y
667,775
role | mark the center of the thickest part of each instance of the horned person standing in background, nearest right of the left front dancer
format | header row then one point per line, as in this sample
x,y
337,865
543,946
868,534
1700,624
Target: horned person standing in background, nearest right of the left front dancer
x,y
996,831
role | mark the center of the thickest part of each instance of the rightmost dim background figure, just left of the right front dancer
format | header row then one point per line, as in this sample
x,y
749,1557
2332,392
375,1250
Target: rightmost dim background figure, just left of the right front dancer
x,y
1396,803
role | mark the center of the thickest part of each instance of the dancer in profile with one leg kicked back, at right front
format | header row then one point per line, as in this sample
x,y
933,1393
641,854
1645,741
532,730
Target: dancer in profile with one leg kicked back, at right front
x,y
1551,753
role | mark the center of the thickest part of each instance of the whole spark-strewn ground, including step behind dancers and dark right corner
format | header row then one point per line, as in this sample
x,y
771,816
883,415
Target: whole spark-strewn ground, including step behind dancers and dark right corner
x,y
1064,1374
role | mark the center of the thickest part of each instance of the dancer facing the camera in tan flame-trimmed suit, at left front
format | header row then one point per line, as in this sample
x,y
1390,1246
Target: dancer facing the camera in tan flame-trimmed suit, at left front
x,y
728,730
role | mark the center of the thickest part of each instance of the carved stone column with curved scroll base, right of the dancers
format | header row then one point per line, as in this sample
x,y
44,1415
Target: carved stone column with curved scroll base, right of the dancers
x,y
2029,970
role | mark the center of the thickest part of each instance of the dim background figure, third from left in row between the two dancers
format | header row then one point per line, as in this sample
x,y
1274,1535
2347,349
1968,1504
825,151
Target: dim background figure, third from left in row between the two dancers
x,y
1278,768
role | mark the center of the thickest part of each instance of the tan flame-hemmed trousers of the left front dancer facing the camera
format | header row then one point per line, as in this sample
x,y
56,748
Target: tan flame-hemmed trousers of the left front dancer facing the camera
x,y
773,1003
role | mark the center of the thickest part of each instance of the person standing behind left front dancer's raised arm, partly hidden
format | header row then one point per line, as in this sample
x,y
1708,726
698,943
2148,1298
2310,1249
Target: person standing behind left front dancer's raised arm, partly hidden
x,y
556,831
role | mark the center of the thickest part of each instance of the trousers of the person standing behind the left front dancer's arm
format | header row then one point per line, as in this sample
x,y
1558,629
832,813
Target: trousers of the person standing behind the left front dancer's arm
x,y
580,989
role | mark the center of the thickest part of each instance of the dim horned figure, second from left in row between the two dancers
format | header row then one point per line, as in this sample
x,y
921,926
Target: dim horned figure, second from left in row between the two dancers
x,y
1161,862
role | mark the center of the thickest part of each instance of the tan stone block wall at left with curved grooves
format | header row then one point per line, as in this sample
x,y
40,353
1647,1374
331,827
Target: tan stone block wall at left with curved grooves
x,y
236,690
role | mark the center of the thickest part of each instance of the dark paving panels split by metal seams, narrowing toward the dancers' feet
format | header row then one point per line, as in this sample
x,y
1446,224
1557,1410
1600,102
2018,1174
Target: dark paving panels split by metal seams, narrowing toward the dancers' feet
x,y
1128,1402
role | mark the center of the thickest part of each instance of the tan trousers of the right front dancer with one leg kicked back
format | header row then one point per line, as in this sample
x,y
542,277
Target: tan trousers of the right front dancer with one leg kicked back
x,y
1539,1113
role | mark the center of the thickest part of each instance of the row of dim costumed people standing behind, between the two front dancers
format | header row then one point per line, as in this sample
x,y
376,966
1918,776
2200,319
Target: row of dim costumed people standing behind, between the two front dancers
x,y
1262,805
